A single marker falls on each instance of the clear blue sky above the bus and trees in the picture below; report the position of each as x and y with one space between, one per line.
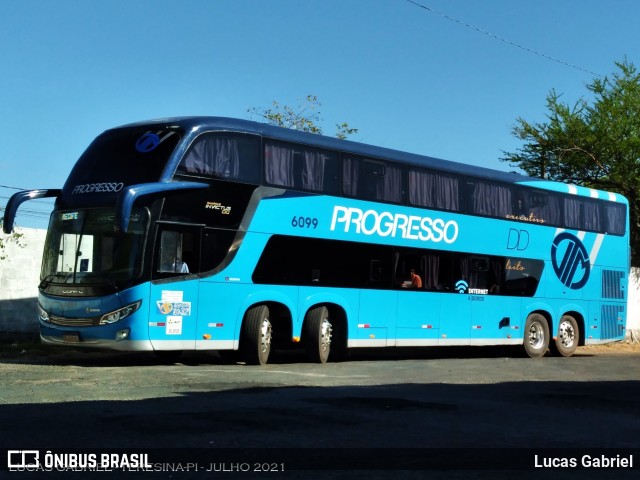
443 78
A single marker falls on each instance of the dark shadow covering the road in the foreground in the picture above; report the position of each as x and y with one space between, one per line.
407 415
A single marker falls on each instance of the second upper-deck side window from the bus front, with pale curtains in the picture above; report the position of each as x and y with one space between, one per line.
301 167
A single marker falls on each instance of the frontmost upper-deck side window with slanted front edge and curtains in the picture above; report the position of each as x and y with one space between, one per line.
227 156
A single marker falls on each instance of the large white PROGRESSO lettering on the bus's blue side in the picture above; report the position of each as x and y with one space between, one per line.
398 225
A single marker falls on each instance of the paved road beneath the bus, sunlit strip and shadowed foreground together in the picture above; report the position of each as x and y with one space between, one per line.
455 398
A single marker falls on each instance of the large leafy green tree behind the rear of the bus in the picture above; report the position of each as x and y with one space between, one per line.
593 142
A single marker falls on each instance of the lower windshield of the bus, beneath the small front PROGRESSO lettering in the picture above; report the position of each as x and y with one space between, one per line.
83 248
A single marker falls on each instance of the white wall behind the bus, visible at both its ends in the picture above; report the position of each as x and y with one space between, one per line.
20 275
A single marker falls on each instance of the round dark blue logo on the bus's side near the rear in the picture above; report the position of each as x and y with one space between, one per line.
570 261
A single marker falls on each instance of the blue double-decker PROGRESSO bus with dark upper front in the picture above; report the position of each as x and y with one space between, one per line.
207 233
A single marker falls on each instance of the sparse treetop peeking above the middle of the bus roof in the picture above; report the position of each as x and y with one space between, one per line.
305 117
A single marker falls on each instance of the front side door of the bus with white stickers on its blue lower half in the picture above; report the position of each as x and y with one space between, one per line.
174 289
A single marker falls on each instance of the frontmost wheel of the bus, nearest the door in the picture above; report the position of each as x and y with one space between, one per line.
256 335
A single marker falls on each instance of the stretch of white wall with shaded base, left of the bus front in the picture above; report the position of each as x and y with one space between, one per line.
19 278
